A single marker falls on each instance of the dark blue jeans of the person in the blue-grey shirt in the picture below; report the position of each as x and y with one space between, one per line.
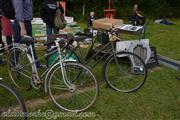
17 35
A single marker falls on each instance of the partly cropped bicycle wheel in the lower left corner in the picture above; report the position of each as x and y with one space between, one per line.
12 105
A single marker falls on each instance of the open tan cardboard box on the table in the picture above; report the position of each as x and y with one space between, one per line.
106 23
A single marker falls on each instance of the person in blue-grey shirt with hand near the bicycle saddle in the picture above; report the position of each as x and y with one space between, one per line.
22 24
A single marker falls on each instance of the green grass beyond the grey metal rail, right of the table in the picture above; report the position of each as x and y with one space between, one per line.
166 39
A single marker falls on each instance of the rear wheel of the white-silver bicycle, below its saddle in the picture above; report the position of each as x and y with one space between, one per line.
19 67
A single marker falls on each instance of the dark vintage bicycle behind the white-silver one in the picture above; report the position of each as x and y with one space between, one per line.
122 70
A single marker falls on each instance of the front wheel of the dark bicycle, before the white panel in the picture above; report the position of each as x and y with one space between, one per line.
124 72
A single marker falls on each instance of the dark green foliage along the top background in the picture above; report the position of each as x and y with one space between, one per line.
151 8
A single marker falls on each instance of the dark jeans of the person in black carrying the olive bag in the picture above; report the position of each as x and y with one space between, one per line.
49 31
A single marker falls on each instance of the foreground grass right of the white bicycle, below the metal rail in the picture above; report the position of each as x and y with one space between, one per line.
157 99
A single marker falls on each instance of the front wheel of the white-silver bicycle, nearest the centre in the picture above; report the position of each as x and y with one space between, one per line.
81 91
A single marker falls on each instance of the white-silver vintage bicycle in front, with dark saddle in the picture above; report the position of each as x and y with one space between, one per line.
71 85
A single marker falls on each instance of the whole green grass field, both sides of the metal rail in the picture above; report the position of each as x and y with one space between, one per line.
158 99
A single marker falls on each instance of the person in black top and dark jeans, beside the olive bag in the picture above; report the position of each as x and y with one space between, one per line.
47 12
